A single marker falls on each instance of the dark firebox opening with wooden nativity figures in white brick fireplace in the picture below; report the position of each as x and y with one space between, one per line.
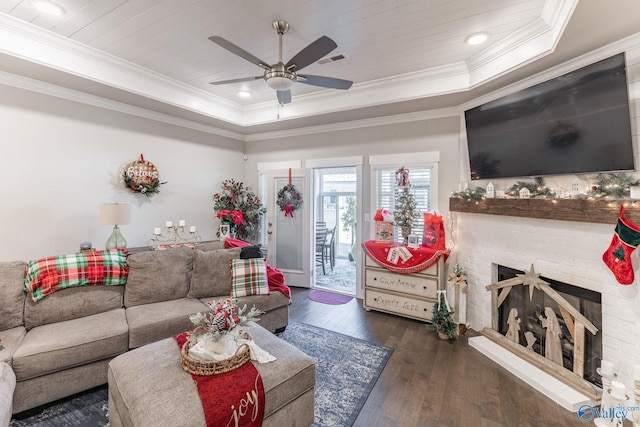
537 312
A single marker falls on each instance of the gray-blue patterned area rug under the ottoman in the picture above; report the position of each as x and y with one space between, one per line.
347 368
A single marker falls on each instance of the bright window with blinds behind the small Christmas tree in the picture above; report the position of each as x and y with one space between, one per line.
385 187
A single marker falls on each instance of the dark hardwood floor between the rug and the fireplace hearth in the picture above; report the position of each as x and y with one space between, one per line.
431 382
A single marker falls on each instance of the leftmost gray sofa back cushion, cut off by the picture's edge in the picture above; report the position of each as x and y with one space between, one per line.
11 293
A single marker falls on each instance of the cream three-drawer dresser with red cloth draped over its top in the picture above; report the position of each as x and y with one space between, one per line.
404 289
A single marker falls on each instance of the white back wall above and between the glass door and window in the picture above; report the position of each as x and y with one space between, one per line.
441 134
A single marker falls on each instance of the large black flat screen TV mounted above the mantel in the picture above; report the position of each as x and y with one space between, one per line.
574 124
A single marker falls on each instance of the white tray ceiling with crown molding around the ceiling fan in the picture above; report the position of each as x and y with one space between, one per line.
155 54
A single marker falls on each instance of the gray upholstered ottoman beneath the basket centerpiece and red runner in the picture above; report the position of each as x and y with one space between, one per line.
148 387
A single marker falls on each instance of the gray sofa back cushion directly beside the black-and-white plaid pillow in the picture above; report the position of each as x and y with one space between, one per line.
212 273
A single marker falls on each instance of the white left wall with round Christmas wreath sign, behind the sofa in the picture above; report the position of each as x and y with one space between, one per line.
60 160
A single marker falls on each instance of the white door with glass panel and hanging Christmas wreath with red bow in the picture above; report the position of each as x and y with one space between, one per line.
289 236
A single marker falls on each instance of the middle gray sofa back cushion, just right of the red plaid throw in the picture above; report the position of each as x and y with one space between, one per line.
156 276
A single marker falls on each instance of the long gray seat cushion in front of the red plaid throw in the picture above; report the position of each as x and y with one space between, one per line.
58 346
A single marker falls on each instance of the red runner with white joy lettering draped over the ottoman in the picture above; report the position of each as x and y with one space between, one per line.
232 399
